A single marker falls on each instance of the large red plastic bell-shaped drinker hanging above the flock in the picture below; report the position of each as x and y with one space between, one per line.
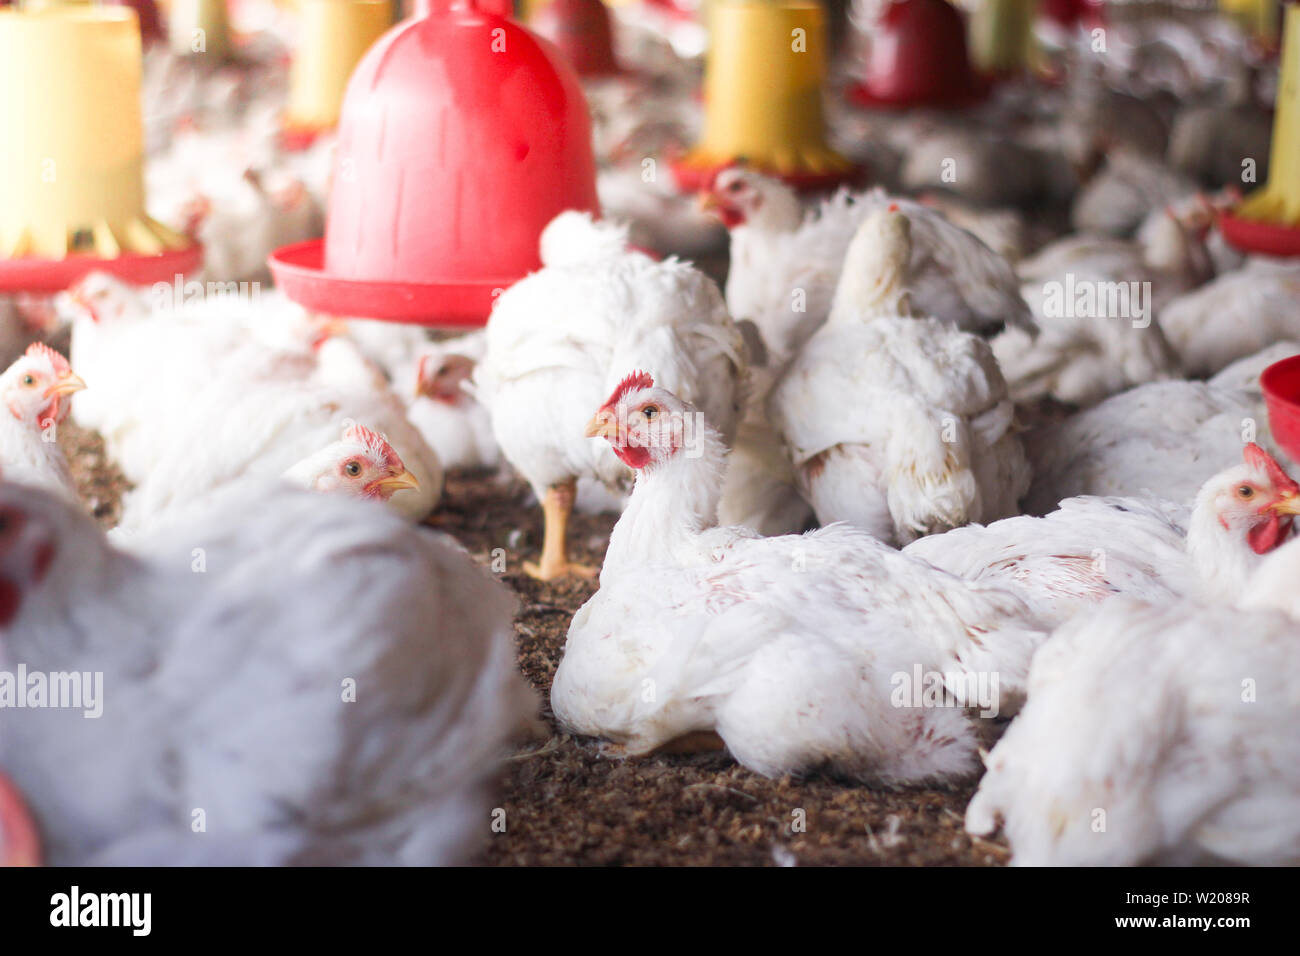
462 136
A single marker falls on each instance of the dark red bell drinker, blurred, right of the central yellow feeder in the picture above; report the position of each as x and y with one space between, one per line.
918 59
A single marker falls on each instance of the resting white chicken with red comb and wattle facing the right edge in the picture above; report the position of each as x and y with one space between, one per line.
1094 548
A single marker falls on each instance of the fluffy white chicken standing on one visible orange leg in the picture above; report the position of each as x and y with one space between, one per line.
558 341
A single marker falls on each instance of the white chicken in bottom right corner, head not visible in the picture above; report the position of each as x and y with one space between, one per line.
1154 736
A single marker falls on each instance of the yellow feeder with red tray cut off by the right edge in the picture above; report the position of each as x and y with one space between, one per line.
1268 222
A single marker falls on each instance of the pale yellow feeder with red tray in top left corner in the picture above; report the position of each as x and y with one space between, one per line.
72 154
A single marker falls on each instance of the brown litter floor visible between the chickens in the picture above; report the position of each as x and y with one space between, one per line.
569 804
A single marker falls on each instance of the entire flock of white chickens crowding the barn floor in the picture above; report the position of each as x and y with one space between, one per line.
877 457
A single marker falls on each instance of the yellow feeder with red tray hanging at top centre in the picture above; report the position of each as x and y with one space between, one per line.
764 81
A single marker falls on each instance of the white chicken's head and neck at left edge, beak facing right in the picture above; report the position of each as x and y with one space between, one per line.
37 391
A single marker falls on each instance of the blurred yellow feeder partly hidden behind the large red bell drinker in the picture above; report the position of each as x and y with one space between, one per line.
333 38
